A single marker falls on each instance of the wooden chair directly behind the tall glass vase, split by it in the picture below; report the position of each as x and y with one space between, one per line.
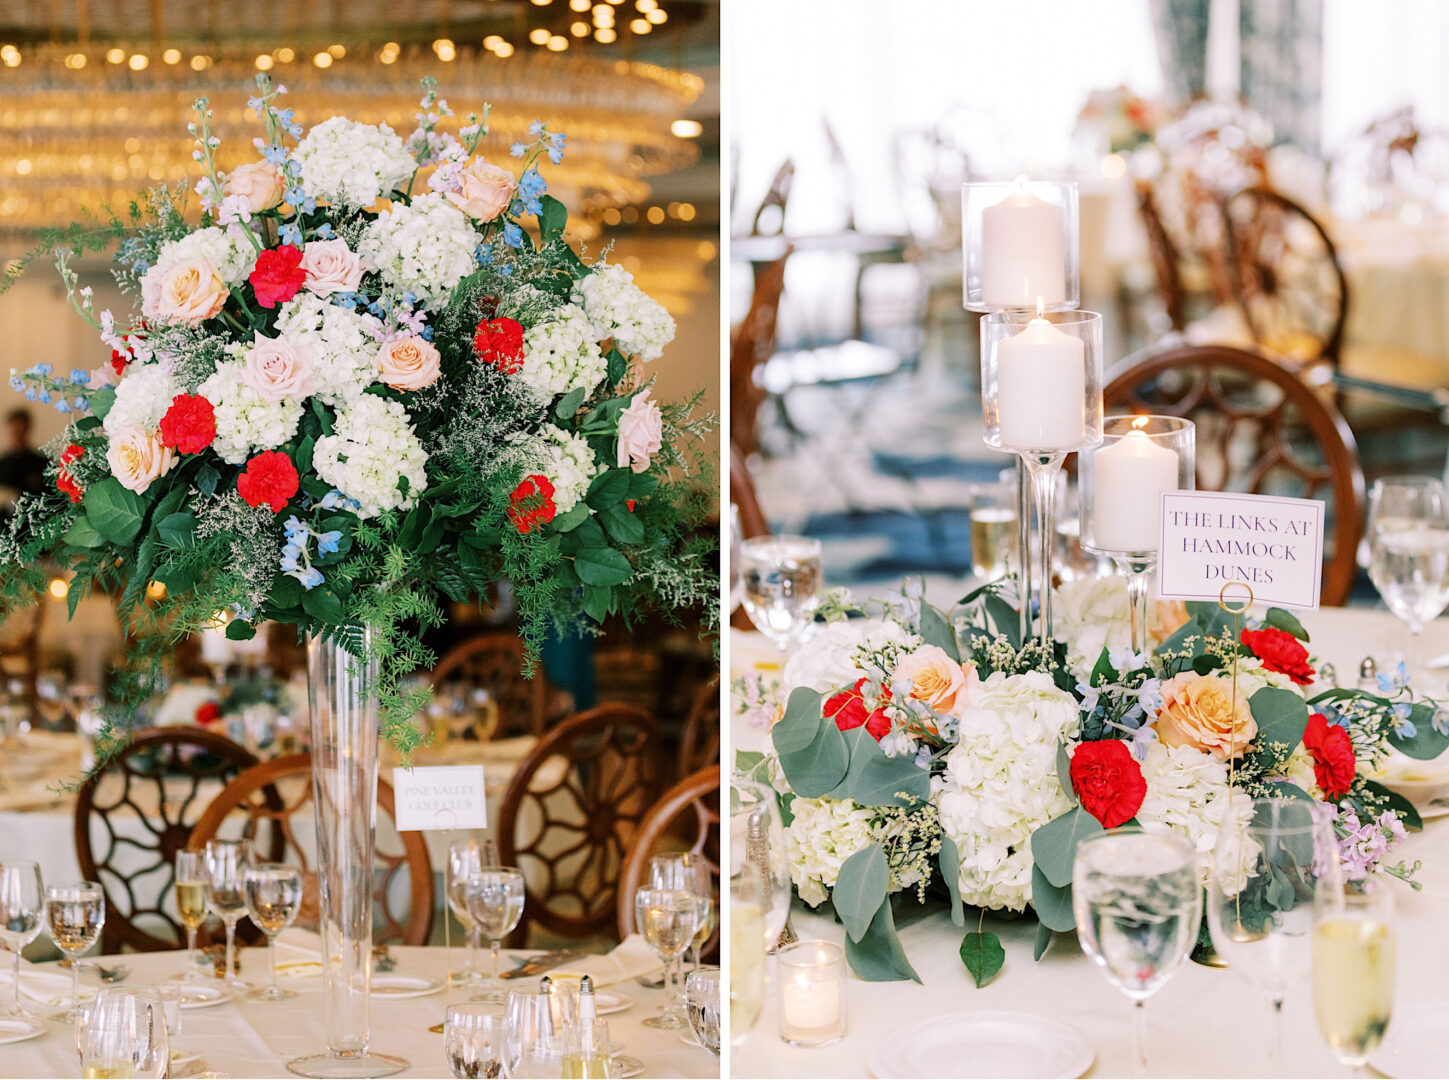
270 795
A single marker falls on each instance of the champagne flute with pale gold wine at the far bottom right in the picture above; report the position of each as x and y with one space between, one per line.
1354 969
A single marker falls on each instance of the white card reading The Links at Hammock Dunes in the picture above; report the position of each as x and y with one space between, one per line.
1214 539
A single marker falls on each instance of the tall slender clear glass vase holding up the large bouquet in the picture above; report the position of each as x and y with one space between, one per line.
344 705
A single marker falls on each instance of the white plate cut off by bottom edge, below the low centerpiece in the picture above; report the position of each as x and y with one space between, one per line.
985 1044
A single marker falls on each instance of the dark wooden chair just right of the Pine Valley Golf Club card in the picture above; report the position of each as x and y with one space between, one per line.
570 814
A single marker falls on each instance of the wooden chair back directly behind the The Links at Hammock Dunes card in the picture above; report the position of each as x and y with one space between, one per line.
1261 427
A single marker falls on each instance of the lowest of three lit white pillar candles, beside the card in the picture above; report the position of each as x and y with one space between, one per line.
1131 475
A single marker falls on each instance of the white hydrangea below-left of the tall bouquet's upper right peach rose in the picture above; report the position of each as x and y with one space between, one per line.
425 249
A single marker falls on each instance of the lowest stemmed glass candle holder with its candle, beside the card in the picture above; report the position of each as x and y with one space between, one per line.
1121 497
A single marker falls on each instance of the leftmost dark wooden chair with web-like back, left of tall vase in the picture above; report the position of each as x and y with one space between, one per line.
134 817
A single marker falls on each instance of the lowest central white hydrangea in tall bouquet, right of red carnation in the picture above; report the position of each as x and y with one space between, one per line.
372 450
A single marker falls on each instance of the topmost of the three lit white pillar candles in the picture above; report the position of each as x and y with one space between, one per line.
1024 256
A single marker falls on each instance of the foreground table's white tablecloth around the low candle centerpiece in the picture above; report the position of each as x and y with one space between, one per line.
1205 1023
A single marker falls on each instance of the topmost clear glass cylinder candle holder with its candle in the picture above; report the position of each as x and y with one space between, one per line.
1019 246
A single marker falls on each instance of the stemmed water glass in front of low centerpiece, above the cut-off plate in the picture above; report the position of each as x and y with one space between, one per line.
1138 905
